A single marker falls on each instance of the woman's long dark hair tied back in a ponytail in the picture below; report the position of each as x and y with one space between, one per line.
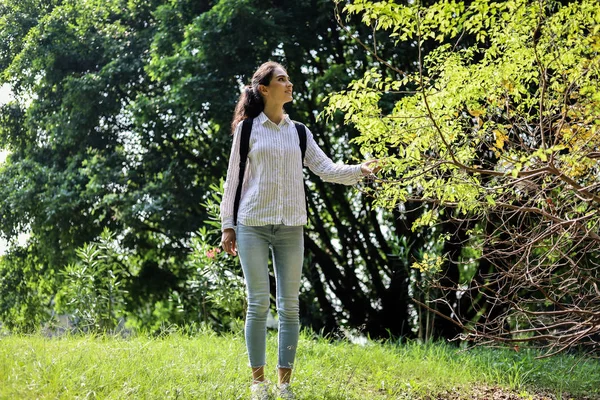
251 103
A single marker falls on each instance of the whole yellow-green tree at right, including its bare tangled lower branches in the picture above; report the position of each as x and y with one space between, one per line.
502 136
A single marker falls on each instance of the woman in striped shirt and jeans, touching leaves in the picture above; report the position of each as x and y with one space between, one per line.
271 214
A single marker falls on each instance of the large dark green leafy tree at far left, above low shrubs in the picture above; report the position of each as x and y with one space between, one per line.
79 163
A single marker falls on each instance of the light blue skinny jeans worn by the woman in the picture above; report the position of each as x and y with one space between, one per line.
287 245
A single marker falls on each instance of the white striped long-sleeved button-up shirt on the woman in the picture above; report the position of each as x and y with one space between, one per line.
273 186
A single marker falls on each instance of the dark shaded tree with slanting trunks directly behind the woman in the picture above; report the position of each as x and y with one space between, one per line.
353 283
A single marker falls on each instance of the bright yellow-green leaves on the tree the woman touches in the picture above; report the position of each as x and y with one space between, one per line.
522 101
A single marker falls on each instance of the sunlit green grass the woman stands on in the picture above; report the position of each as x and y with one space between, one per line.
207 366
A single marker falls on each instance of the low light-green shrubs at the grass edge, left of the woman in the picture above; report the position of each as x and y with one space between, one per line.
94 291
